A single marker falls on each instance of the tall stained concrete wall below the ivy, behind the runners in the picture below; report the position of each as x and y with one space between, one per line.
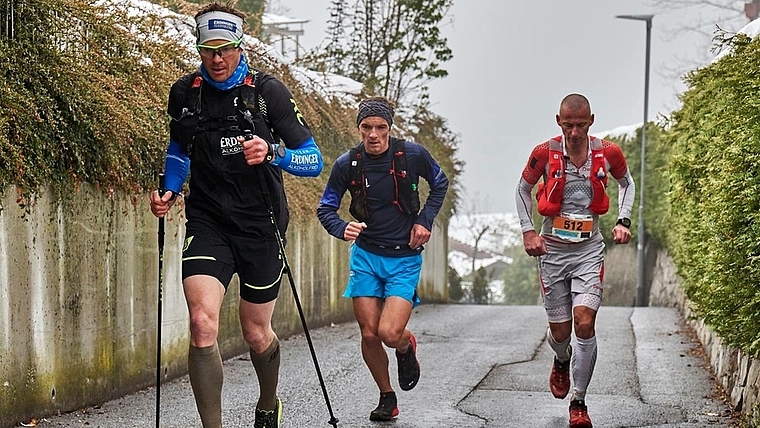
79 294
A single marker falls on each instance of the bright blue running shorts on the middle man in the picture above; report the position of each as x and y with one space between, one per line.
371 275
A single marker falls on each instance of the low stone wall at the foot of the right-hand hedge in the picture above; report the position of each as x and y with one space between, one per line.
737 372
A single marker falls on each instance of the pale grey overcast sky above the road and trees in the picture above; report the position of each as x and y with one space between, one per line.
515 60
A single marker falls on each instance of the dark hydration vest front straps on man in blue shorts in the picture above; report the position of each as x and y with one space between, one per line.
406 197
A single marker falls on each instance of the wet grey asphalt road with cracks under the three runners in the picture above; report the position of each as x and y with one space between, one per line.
482 366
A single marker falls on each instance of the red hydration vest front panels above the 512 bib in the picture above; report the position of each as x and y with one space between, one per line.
551 190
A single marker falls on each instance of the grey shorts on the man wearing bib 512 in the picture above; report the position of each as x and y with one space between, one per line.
570 270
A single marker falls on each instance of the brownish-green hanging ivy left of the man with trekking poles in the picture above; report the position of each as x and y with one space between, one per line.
79 101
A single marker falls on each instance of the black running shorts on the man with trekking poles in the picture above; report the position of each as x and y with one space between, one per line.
210 251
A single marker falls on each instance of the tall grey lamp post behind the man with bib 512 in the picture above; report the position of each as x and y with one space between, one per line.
641 299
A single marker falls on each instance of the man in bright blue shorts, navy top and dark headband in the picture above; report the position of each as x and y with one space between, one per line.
389 232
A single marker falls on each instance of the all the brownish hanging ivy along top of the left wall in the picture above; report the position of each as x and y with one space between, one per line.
83 100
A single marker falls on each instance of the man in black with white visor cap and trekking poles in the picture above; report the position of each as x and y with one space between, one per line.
235 129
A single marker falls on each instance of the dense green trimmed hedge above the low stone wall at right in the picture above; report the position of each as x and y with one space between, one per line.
715 194
